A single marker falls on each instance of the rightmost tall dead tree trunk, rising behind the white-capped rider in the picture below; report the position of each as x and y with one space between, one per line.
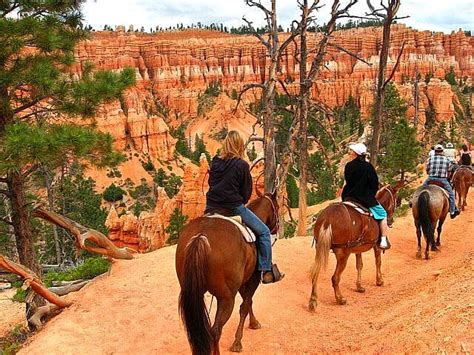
388 14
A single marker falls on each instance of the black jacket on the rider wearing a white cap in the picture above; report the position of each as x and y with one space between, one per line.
362 182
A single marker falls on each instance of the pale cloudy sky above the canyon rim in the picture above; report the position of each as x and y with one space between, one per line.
434 15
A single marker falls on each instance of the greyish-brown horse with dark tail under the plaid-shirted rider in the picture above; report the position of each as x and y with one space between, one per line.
430 206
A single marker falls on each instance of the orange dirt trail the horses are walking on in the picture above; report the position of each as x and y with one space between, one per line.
424 306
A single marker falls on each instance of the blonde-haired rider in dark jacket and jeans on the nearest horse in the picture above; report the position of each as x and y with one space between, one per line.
230 187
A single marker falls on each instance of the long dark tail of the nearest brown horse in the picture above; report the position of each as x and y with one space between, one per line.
192 307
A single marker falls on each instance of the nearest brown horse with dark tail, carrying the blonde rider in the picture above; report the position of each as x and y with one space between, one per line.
213 256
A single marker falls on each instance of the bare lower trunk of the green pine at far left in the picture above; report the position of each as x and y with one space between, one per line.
21 220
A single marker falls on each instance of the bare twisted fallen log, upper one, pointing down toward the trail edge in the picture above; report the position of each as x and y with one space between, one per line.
86 238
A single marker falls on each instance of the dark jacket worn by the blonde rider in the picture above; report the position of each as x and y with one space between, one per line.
230 183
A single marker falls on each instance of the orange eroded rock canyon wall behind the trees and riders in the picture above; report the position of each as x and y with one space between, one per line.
174 69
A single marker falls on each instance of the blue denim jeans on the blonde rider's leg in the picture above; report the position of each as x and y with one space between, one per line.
262 232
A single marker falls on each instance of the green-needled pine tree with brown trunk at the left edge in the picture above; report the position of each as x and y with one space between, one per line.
37 39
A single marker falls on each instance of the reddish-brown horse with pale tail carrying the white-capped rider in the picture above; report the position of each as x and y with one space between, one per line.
344 230
